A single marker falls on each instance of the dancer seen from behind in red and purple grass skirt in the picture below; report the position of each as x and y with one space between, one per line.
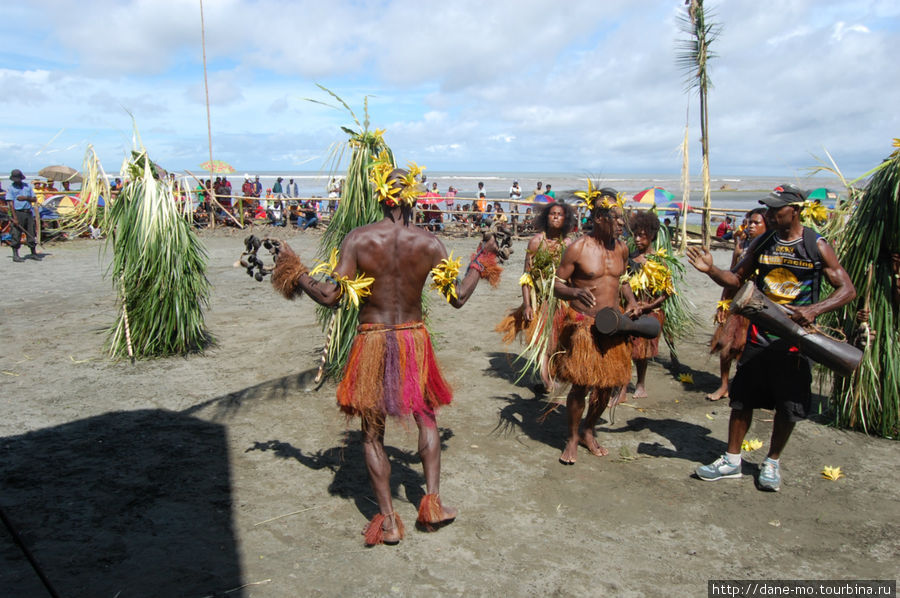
391 369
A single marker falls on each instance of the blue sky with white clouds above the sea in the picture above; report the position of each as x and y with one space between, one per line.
507 85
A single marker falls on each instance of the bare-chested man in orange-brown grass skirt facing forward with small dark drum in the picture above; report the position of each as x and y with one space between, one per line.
588 278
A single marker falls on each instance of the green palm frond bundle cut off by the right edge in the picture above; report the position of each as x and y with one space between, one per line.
869 400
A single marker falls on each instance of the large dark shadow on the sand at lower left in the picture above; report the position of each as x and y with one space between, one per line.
131 503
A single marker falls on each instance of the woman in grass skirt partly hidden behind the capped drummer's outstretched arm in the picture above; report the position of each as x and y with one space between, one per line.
731 329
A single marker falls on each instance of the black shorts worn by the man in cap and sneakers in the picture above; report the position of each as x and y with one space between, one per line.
773 379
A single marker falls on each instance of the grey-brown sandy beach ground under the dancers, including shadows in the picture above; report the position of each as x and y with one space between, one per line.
227 471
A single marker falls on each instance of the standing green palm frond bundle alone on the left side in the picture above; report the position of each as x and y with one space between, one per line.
158 268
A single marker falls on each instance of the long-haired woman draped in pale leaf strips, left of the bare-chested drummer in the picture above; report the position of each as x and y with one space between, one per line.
535 321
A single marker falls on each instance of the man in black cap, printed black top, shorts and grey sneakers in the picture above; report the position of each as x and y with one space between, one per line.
772 374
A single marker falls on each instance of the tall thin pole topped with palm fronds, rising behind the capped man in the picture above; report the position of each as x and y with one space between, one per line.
693 57
